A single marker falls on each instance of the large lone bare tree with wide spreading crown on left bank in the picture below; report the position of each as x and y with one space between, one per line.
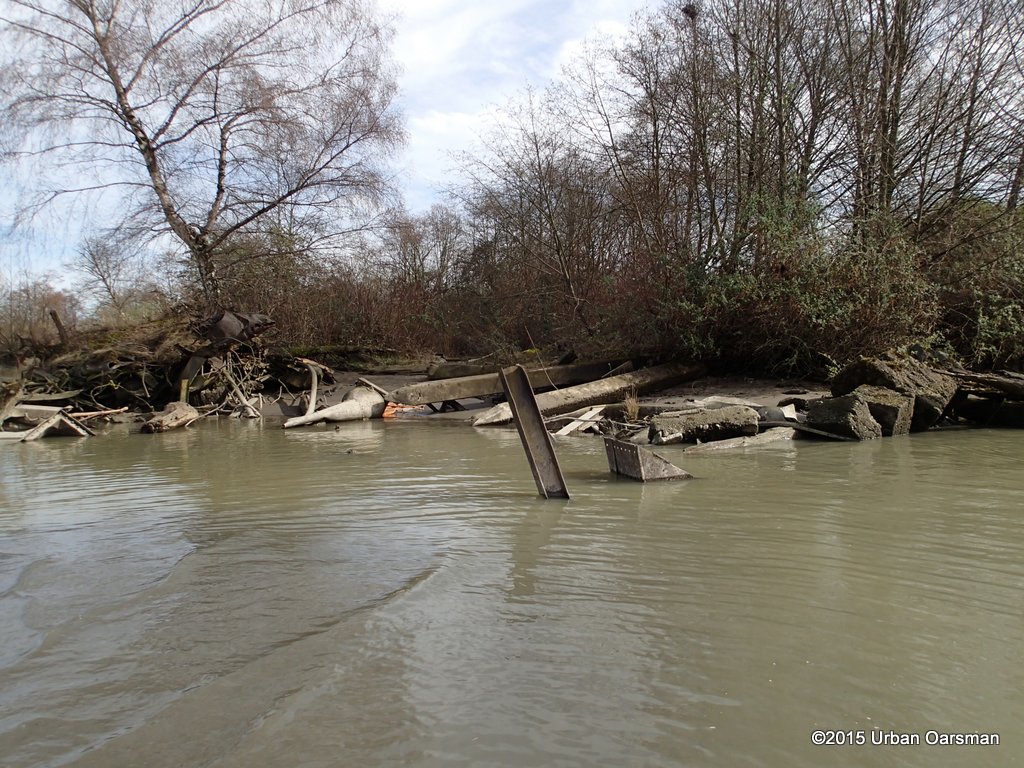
214 118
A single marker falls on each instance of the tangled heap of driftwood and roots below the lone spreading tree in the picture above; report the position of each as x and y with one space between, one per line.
211 367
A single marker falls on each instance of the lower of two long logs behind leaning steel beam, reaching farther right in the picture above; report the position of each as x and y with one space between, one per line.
604 391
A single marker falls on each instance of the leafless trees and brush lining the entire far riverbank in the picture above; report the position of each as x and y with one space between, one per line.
776 190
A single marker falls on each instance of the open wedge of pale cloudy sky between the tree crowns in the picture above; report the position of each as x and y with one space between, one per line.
461 59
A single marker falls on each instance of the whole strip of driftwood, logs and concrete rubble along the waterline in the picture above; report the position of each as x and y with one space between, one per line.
223 368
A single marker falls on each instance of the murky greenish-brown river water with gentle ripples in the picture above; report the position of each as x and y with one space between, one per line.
396 594
